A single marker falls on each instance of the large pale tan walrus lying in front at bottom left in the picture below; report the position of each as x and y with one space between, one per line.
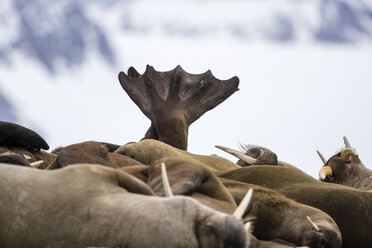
105 207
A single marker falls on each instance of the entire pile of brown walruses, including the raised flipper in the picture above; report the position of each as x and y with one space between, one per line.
96 194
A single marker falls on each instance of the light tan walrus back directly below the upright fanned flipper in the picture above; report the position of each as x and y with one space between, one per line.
149 150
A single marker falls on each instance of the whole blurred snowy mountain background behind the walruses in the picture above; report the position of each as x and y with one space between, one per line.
305 69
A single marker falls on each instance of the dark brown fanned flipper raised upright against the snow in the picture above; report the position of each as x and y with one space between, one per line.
173 100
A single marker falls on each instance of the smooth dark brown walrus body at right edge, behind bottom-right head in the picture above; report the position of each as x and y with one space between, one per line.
350 208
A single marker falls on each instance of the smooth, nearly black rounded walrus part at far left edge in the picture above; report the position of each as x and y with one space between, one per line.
12 134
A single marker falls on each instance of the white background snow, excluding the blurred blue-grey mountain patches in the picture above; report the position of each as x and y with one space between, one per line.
295 96
